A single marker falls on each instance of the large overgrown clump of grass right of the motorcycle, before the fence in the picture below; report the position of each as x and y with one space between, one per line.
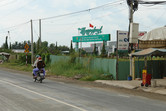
77 71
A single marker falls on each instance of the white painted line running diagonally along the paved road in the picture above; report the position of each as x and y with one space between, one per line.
54 99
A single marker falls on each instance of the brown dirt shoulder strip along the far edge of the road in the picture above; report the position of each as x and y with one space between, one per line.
135 92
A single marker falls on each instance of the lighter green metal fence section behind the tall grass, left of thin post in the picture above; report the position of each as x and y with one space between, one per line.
107 66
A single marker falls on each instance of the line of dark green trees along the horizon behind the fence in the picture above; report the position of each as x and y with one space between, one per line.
53 48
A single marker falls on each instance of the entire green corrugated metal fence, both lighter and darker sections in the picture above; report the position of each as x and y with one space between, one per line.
108 66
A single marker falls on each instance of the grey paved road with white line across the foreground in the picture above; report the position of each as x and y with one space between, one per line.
19 93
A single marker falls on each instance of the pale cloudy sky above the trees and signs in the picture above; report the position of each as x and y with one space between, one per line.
113 15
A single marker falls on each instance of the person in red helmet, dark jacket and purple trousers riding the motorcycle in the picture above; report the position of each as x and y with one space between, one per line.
40 66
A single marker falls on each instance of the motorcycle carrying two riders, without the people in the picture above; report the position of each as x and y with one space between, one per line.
40 76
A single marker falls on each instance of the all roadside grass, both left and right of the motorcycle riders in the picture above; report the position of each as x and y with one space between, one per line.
69 70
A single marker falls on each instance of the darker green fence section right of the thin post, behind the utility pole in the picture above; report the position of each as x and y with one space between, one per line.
155 67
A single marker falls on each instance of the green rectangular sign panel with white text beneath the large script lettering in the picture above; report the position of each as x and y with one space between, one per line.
91 38
